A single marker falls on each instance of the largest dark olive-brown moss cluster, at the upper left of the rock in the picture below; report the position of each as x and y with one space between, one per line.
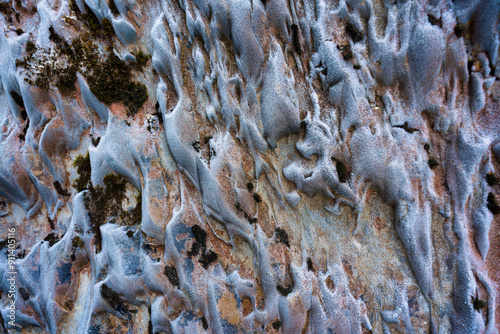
110 79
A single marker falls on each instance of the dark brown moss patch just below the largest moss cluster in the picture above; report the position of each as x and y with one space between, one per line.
104 203
